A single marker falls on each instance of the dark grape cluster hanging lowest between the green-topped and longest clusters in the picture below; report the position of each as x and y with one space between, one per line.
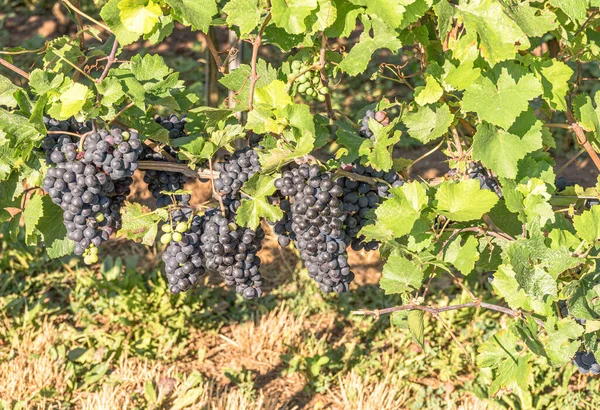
231 250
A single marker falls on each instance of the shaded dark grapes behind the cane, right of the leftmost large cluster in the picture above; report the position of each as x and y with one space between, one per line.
159 181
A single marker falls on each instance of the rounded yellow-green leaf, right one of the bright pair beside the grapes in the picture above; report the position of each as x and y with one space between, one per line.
454 200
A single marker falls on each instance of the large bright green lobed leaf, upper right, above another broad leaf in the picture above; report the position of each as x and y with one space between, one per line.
500 103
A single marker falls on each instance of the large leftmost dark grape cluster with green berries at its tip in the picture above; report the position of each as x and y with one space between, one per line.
90 185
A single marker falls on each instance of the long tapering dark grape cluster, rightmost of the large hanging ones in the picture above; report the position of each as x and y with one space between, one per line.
316 224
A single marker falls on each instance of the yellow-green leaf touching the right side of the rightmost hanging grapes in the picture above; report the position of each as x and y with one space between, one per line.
397 215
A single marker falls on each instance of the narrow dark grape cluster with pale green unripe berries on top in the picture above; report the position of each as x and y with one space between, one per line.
183 257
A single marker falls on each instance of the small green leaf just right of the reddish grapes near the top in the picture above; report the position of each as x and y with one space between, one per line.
428 123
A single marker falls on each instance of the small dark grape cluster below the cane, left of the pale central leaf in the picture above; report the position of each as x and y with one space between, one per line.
234 171
